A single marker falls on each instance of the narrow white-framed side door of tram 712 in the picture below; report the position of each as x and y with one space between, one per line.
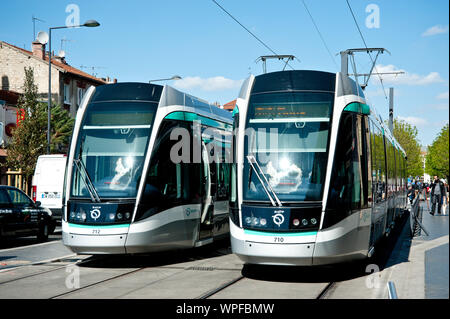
208 187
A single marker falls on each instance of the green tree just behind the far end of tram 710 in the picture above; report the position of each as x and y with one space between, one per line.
406 135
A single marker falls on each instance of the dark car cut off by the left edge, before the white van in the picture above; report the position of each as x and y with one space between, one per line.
20 216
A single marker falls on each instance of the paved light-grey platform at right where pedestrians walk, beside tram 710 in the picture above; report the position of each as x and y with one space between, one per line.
419 266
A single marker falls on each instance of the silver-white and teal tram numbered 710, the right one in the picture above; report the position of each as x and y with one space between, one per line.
317 178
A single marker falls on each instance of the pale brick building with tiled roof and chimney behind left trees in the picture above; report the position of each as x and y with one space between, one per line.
68 84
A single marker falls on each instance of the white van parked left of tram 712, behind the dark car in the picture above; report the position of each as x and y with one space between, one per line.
48 182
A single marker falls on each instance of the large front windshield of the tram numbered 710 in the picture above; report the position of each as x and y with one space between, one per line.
287 137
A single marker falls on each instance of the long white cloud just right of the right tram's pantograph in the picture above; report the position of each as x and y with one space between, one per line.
406 78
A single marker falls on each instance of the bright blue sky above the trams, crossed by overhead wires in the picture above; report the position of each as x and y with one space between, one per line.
144 40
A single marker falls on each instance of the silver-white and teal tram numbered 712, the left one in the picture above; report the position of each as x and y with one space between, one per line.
146 171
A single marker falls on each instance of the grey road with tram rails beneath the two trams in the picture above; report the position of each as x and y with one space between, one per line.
51 271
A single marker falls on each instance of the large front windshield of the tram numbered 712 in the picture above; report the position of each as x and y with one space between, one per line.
111 145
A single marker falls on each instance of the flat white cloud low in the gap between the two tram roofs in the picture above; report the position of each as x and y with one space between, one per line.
216 83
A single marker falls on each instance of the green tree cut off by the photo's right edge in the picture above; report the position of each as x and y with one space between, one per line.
437 159
